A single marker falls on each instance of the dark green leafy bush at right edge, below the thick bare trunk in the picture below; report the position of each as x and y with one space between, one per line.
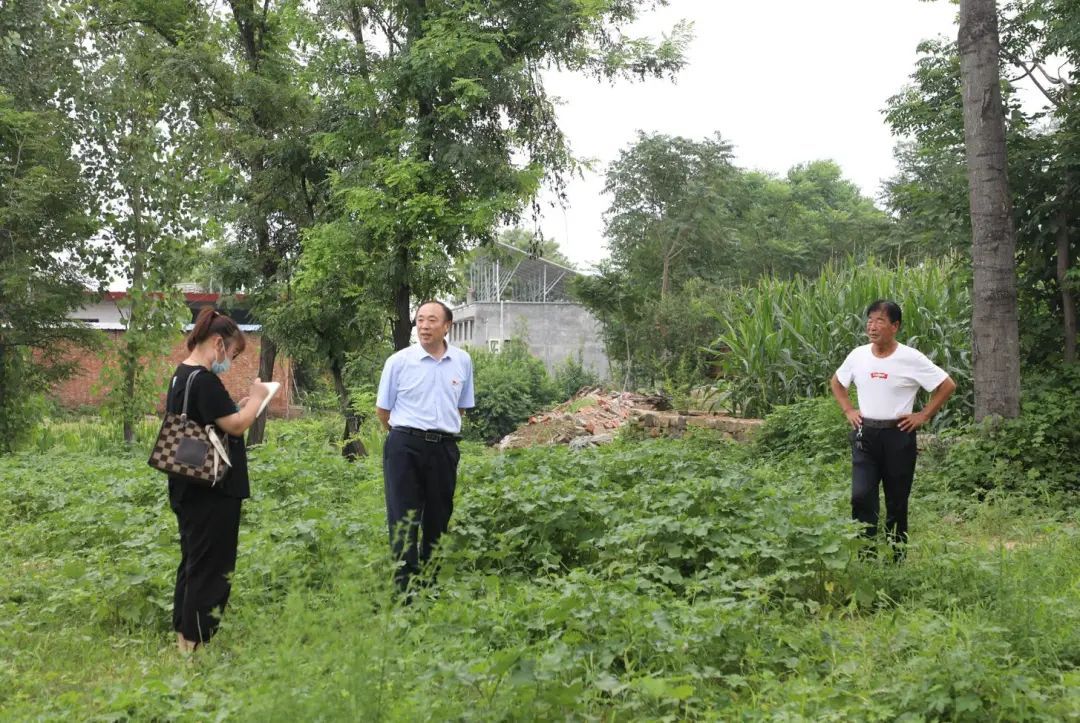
1035 454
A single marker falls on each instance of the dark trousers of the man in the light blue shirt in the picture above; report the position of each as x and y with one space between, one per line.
420 479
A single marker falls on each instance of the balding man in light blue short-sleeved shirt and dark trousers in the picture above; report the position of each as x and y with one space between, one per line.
424 392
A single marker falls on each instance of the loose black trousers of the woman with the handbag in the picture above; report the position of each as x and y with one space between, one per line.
210 529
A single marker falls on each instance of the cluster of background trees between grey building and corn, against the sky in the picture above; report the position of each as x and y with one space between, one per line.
687 229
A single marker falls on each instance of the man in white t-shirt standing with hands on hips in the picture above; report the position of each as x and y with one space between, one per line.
887 376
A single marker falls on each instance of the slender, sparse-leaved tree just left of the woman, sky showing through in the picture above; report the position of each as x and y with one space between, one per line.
140 151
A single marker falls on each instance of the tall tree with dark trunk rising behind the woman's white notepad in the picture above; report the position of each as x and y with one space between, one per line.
264 128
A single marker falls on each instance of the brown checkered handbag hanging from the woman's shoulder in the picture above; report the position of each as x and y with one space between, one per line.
187 450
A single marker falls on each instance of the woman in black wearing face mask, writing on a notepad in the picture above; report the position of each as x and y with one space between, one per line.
209 518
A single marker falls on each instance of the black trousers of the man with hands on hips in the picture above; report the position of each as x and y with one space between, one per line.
888 457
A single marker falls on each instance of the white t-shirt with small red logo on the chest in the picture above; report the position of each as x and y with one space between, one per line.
887 387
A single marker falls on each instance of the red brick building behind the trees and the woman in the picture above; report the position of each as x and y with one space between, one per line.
85 387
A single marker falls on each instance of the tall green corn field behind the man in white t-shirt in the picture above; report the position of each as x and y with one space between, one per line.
784 340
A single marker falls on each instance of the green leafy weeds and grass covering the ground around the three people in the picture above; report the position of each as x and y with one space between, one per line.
644 581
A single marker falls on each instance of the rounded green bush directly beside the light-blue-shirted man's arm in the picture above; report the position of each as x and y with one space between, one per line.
511 386
